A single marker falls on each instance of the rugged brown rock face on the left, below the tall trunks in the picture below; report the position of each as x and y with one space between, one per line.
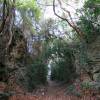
13 62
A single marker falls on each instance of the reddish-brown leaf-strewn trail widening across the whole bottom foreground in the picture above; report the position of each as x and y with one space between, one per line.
53 91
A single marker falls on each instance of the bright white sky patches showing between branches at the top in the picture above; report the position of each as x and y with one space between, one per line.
72 5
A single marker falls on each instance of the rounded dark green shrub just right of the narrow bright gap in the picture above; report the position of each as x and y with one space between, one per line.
63 70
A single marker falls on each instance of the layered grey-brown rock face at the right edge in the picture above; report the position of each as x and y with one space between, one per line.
94 57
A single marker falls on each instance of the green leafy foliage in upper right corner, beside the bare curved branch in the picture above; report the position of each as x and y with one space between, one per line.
89 21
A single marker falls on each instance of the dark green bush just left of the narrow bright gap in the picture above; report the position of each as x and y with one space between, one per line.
37 74
